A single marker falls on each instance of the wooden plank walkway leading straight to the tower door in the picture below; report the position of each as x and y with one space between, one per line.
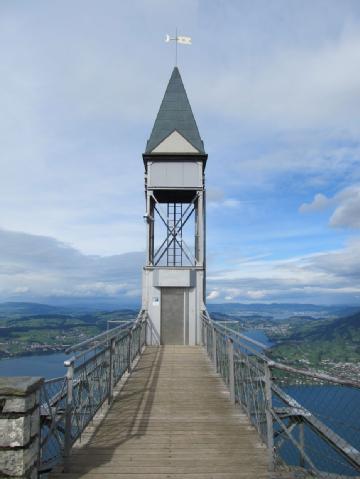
173 419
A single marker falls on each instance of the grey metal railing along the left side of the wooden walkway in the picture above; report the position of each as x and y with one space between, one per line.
69 403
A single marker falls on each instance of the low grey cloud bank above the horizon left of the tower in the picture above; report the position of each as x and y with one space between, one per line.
33 267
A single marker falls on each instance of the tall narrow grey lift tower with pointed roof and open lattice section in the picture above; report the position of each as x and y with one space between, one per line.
174 273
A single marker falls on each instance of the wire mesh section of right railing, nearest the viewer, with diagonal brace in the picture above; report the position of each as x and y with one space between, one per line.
326 428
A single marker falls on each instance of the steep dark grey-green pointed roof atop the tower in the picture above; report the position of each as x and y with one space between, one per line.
175 114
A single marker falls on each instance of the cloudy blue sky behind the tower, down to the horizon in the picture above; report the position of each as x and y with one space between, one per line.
275 89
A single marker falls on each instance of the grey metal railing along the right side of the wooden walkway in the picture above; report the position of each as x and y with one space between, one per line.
309 421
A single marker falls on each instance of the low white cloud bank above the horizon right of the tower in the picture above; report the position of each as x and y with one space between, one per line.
329 277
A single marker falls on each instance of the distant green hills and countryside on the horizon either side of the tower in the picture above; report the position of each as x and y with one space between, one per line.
308 331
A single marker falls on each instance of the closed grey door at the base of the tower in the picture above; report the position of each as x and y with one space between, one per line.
172 315
